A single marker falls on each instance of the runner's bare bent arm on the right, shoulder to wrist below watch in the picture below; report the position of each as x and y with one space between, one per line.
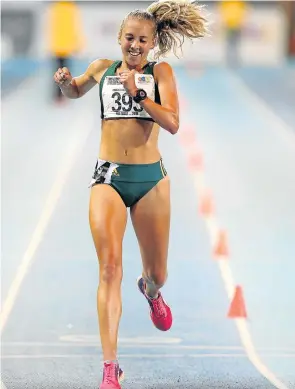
166 114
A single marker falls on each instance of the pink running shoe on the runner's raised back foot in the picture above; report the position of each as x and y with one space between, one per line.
160 312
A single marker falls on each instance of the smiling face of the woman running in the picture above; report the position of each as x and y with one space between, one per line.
137 39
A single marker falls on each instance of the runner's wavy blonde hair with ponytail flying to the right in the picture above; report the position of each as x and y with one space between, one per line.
174 20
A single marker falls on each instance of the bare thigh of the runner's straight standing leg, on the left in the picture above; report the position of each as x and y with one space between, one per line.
107 218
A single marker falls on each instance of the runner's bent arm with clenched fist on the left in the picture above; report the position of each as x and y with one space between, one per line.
75 87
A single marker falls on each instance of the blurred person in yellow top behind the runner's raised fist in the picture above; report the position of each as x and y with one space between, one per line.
65 36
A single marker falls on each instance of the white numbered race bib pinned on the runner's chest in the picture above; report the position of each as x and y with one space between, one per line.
118 104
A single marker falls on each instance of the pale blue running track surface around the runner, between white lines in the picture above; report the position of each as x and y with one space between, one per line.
51 337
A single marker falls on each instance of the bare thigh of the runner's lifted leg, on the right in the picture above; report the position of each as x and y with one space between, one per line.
151 220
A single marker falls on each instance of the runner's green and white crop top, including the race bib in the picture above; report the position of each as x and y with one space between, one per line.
115 101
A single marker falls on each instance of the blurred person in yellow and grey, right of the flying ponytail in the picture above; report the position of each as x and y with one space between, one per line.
233 14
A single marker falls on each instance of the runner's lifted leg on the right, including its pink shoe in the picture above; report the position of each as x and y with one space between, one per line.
151 220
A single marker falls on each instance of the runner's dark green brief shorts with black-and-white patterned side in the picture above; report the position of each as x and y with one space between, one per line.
132 182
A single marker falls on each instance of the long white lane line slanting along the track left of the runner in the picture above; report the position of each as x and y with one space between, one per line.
84 125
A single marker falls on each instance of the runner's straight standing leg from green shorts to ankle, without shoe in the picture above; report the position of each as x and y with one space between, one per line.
108 218
